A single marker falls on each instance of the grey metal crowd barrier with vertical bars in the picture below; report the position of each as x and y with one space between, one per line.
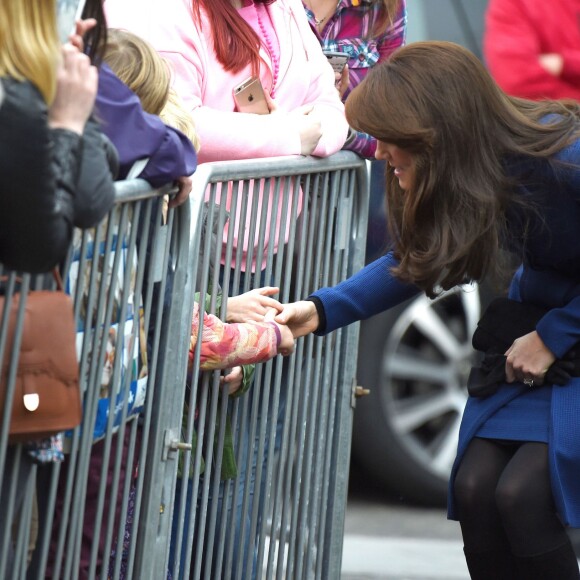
140 494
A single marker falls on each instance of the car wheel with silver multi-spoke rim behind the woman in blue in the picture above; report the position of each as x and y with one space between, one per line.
415 360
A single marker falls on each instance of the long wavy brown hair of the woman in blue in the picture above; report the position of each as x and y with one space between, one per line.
437 101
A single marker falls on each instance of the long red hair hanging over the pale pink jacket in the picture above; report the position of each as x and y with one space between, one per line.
235 43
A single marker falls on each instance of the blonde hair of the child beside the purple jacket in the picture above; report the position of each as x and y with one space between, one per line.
147 74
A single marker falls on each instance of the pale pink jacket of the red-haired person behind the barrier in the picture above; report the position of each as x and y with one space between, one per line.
304 77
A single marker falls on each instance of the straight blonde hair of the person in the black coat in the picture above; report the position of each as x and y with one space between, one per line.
29 43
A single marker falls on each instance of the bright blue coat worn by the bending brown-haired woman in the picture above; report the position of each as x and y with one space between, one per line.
549 276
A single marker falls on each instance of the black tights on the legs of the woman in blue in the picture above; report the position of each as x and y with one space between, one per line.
504 499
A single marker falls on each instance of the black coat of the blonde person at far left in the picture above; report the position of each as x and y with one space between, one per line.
51 180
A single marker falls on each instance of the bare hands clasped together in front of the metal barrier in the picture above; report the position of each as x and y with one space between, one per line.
293 320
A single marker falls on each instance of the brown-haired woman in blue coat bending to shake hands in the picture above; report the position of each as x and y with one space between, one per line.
473 176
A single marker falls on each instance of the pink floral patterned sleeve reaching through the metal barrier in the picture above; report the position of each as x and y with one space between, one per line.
226 345
